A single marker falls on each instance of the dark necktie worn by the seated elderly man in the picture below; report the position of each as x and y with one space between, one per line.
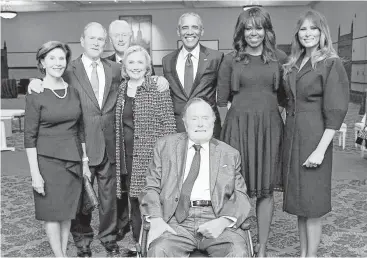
183 206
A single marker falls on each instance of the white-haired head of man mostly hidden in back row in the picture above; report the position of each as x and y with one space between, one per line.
120 35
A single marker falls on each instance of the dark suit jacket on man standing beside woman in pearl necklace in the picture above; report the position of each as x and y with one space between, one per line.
98 122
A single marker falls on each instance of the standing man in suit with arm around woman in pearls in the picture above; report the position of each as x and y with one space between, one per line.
97 81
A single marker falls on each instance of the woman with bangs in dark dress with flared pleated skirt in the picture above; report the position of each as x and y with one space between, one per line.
250 76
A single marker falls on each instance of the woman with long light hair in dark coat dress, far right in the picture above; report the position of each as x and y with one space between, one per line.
316 85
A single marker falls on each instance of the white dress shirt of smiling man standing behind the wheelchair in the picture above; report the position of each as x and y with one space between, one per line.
181 60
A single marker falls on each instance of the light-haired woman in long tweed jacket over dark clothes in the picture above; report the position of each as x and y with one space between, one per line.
142 116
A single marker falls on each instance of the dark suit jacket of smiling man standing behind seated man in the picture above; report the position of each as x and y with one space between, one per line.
205 83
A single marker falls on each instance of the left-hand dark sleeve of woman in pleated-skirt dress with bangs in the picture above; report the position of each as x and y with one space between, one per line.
224 81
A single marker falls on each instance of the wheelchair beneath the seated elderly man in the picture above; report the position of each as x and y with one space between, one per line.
142 248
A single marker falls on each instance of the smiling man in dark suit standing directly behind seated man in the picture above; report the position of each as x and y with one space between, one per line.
192 70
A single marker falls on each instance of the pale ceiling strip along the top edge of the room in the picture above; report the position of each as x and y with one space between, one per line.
91 5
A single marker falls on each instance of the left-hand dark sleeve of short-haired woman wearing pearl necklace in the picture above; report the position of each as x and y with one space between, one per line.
31 120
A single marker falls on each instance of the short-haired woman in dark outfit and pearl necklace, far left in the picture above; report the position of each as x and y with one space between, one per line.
54 142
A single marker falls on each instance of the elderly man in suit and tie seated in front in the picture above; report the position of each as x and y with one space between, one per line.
195 196
